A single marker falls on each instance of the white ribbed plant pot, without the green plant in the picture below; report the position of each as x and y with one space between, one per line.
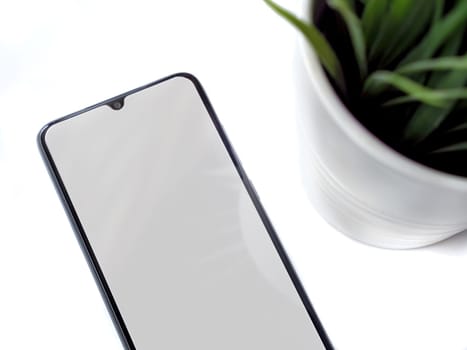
361 186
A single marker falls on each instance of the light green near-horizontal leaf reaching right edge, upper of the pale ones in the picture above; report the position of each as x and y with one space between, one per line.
435 64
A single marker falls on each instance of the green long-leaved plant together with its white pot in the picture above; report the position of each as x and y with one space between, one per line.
385 138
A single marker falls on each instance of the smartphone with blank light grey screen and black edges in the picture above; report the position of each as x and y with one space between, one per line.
172 228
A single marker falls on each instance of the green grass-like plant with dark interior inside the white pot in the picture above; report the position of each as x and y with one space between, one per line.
400 66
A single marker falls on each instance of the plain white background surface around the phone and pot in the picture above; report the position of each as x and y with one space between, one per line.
57 57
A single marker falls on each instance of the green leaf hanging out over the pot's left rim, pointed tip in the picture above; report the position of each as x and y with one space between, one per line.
317 41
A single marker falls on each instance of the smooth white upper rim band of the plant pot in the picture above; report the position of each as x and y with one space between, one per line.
362 137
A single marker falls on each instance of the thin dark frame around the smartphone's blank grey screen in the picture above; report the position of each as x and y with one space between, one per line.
86 246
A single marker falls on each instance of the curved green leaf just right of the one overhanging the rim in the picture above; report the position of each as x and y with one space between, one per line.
354 27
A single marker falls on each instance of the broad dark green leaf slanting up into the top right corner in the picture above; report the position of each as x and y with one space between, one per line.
438 34
